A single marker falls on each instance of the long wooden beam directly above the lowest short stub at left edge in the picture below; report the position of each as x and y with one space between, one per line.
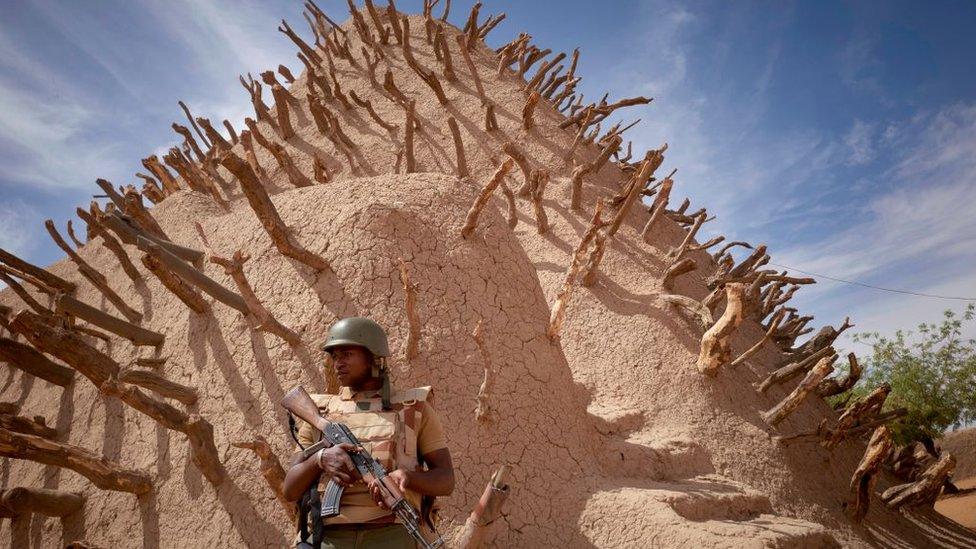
103 473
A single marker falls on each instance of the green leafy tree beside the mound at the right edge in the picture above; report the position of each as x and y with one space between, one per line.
933 376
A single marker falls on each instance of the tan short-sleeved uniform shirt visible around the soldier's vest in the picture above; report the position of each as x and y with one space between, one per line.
356 504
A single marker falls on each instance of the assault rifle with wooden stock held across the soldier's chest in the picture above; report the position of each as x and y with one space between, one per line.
302 406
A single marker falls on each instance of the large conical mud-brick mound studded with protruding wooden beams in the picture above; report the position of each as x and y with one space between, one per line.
472 201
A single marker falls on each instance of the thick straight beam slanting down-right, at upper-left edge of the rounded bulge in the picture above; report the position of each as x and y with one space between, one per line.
267 214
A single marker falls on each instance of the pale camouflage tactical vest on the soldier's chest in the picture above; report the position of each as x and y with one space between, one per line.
390 436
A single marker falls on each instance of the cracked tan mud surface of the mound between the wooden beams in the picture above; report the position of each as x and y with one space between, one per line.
614 438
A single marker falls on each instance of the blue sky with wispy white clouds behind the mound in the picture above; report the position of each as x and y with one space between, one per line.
842 135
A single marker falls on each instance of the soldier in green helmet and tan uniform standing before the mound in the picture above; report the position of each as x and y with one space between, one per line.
399 428
